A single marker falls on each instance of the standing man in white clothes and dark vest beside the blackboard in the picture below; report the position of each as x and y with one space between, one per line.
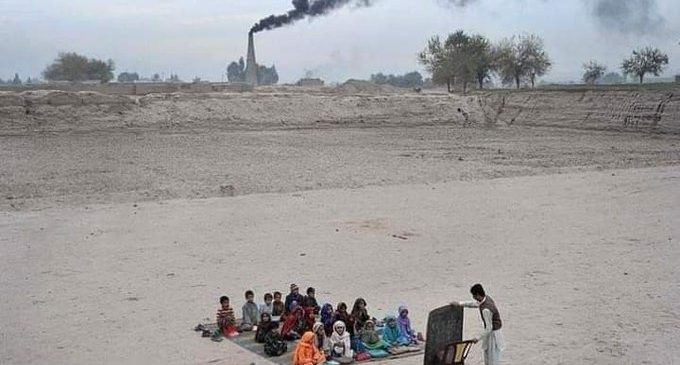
492 339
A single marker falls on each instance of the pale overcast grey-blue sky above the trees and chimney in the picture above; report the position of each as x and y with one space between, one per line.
200 37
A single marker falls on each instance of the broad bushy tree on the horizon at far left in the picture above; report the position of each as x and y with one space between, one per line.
74 67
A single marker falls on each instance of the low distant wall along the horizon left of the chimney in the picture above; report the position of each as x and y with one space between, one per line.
135 88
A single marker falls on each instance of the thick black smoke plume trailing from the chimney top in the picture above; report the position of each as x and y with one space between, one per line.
304 9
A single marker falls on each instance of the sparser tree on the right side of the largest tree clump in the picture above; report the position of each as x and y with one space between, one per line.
521 58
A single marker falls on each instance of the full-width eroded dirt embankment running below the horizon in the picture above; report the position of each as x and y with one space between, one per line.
55 111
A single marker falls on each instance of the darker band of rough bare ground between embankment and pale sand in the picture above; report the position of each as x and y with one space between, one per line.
73 169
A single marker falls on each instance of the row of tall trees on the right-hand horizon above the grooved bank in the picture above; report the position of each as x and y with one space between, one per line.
463 58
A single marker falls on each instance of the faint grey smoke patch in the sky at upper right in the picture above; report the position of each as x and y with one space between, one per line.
628 16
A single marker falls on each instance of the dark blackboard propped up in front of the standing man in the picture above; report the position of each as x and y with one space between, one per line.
444 326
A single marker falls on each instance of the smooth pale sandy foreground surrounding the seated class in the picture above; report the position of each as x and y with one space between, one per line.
583 266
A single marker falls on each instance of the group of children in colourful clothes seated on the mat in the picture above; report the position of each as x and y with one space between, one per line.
324 333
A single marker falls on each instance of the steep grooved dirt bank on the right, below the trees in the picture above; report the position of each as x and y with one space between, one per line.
645 110
